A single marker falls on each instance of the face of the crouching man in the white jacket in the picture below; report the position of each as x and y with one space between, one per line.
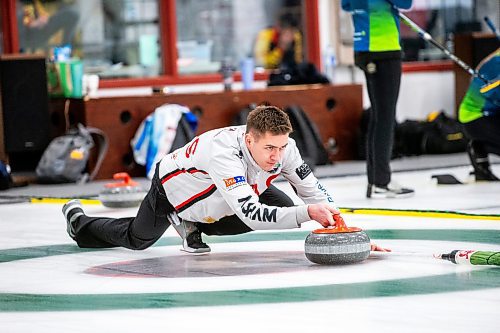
267 150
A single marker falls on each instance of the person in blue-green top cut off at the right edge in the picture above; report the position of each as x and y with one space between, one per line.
480 114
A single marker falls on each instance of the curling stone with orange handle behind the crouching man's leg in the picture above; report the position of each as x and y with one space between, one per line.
124 194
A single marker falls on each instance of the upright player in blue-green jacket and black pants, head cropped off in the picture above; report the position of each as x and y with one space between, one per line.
377 51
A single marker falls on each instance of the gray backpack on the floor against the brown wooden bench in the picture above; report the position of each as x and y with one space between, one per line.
66 157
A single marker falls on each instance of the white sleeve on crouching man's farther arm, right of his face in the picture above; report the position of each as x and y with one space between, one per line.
300 176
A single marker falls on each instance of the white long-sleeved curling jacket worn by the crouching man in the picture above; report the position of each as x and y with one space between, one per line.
214 176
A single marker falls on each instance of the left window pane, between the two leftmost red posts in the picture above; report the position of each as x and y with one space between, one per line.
114 38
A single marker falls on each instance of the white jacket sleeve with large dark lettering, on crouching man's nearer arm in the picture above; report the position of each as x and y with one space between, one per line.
228 173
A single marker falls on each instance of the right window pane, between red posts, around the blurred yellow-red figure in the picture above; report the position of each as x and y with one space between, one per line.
213 31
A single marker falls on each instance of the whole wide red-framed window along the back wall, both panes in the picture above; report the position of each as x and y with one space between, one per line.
151 41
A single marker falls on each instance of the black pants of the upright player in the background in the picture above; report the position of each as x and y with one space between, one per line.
383 77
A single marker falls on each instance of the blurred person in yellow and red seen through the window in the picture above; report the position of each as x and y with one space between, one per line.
279 46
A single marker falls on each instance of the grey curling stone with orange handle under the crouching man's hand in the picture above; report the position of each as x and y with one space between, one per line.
337 245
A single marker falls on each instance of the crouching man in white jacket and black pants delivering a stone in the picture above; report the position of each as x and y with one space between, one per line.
218 184
